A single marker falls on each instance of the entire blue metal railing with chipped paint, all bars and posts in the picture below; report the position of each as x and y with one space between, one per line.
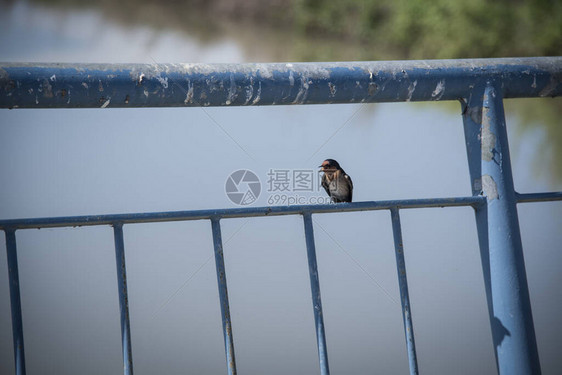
480 86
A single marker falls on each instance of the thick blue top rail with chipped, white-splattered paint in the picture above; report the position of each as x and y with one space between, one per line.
64 85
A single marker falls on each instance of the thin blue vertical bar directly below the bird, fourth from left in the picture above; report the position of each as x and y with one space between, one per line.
316 299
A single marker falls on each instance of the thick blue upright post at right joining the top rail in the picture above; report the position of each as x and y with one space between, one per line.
501 250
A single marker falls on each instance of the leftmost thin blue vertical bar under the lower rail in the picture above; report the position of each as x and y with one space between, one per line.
15 301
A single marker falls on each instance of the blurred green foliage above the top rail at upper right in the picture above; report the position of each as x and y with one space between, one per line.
439 28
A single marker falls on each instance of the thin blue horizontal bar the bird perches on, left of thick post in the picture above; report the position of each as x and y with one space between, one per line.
226 213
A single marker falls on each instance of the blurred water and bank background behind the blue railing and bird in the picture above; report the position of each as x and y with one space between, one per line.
79 162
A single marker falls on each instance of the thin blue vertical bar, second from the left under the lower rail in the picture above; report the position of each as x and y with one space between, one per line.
123 299
